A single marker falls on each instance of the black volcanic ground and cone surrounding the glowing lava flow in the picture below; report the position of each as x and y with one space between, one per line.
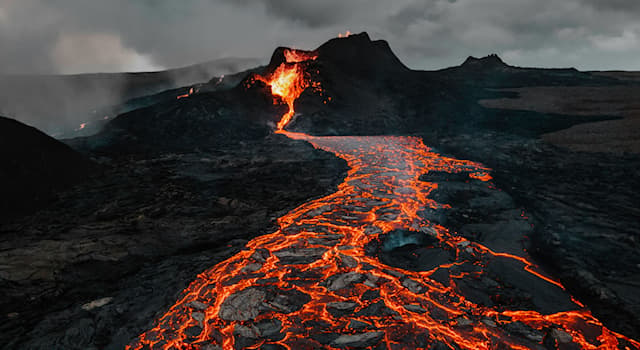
100 234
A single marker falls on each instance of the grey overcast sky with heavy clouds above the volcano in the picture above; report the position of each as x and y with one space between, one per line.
74 36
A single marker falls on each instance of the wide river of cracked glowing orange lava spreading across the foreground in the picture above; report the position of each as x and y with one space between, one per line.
312 284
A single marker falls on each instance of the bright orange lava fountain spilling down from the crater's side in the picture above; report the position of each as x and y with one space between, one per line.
289 80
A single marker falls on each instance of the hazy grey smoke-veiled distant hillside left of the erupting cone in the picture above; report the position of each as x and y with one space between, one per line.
58 104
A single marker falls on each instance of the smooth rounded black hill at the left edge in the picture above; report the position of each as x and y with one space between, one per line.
33 166
